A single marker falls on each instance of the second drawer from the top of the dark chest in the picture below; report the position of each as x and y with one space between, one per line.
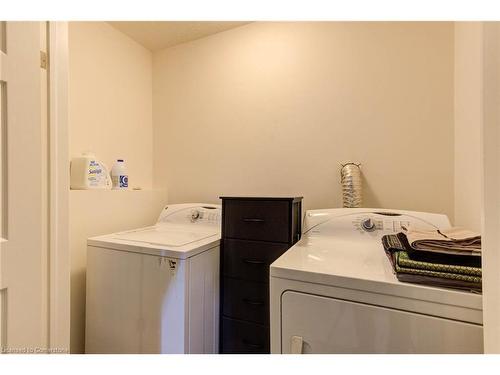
250 260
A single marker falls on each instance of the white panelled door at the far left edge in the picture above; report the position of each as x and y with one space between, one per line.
24 189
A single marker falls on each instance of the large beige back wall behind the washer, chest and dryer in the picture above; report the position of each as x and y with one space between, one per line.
274 108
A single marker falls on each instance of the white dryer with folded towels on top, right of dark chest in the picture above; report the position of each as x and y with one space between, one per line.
334 292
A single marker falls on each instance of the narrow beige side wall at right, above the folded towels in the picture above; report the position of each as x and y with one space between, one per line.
468 117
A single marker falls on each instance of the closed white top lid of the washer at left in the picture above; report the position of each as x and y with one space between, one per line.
171 236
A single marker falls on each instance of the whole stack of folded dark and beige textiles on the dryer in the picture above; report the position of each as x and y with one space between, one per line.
447 258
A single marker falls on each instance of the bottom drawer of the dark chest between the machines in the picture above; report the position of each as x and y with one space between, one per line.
240 337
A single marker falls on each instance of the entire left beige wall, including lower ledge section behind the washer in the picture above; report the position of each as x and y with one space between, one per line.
110 114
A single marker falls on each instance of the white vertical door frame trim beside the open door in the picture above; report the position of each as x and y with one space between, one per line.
59 255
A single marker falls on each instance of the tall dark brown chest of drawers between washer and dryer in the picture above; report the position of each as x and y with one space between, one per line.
255 232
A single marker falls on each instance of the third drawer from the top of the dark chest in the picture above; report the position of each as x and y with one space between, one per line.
246 300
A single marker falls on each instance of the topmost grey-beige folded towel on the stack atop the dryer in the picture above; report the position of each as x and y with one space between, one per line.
450 241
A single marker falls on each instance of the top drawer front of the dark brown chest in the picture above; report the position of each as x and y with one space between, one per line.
257 220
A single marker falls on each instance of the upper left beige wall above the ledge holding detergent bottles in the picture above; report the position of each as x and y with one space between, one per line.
110 106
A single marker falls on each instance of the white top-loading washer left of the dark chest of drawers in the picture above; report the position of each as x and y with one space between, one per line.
156 289
